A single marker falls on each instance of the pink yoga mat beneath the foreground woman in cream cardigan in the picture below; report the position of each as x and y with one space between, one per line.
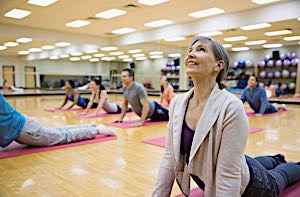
291 191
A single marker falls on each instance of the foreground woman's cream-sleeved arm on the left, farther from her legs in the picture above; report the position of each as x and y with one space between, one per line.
166 174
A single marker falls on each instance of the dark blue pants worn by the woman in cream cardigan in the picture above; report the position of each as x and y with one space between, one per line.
270 175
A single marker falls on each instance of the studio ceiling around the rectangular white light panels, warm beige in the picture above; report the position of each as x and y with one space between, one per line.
46 25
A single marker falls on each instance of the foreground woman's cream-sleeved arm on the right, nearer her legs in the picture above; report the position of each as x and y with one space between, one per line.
231 152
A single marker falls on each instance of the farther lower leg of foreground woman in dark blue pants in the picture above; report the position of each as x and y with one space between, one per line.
270 162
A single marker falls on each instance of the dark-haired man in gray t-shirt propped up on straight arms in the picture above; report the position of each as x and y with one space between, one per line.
136 95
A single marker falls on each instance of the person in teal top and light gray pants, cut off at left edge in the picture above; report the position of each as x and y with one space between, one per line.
14 126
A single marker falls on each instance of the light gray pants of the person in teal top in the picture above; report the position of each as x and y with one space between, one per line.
33 133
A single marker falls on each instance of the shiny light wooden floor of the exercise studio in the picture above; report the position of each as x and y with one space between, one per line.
122 167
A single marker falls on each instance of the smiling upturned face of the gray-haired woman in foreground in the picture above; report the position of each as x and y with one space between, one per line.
200 60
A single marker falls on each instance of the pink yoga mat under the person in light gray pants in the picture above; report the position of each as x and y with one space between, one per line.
16 149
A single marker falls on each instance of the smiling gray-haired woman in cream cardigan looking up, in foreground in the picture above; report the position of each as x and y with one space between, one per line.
207 136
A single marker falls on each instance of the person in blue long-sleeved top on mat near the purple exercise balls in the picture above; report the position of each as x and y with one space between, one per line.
257 99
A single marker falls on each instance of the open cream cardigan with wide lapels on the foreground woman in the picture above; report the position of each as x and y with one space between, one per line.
217 153
